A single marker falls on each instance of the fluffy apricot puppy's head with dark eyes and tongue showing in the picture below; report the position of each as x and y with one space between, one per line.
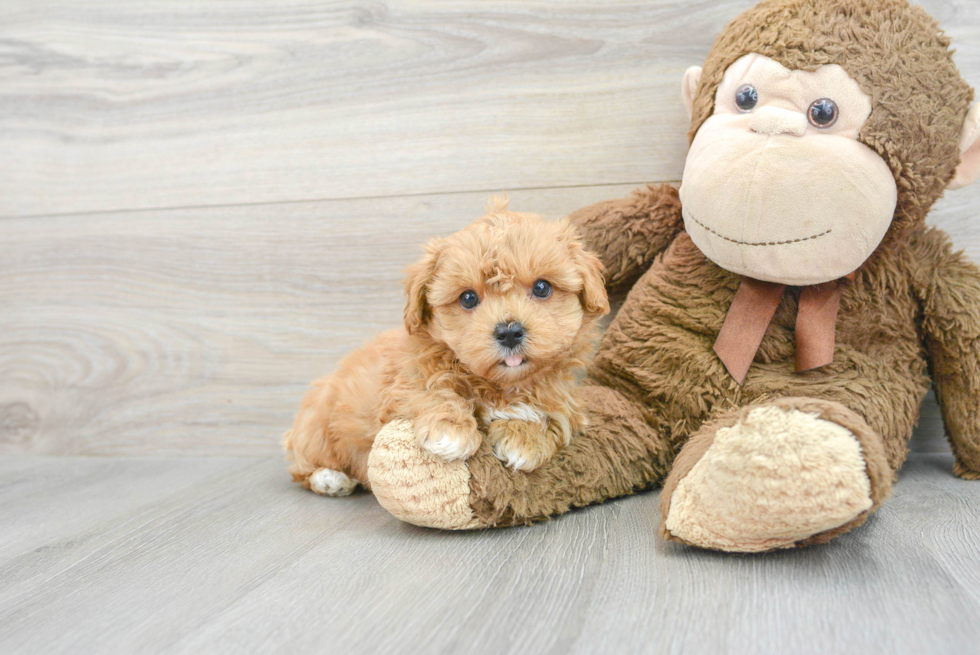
509 294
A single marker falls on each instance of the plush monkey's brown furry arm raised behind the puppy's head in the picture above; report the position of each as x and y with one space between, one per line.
627 234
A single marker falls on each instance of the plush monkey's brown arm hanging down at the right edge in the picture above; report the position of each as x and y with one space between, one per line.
948 285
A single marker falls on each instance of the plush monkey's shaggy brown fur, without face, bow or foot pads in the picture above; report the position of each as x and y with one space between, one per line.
911 313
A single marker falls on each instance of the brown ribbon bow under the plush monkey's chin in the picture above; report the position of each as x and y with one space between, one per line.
752 309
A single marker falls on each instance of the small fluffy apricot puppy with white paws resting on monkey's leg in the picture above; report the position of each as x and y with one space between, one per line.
500 317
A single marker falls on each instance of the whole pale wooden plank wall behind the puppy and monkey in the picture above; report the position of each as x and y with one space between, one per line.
205 204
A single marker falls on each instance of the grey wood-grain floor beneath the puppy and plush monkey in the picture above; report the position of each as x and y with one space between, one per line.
241 560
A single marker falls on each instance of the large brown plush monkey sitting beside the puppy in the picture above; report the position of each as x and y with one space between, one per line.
784 322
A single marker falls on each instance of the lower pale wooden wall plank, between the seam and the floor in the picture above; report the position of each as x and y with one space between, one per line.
196 331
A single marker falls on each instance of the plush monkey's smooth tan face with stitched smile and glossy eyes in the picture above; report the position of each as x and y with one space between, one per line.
776 185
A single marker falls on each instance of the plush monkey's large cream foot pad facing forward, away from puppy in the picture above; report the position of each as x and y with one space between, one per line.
775 478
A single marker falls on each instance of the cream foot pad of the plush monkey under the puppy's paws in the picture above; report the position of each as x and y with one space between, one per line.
416 486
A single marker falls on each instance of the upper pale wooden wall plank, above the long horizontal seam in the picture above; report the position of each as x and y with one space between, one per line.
117 105
